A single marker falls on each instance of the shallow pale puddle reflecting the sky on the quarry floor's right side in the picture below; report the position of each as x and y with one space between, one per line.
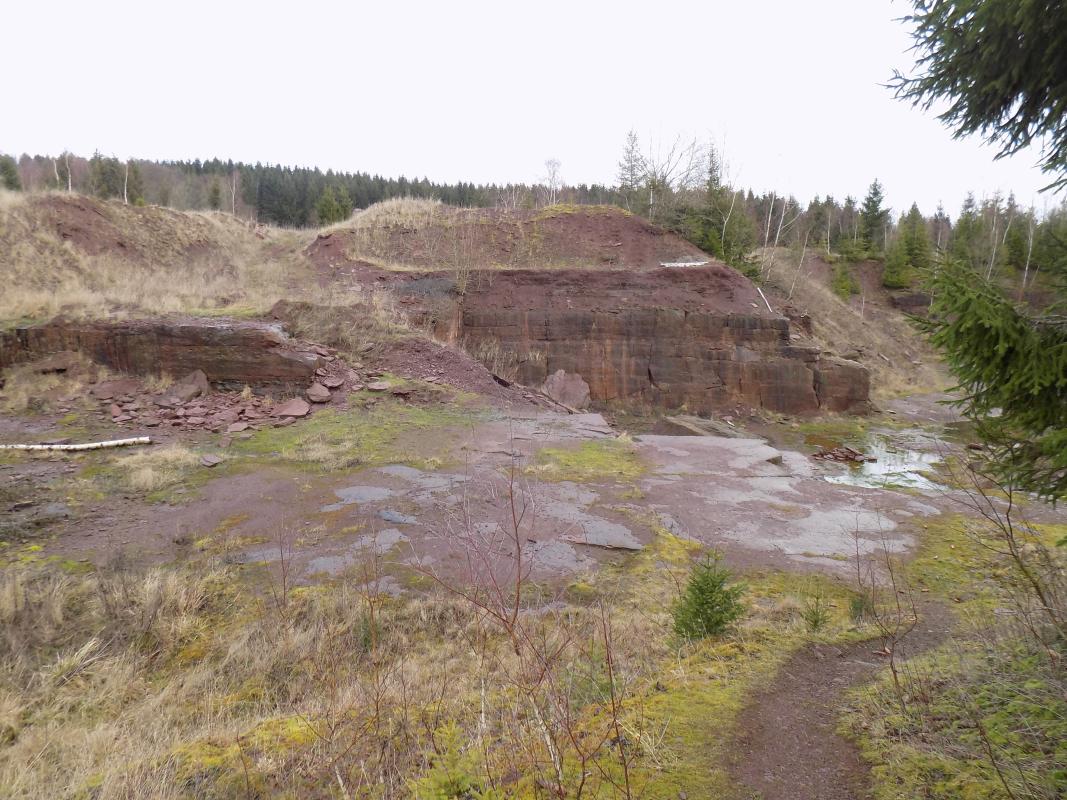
896 466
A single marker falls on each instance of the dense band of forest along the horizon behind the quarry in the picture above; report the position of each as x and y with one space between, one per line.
683 189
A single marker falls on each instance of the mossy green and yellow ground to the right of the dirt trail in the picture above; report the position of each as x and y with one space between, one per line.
984 716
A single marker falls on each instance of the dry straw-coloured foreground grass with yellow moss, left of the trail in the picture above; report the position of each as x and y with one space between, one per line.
193 684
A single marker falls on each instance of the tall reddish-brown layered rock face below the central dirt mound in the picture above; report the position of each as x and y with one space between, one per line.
698 339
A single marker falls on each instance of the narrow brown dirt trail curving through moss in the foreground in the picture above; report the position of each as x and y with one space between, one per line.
789 747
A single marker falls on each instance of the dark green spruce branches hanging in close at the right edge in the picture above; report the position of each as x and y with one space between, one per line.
1010 360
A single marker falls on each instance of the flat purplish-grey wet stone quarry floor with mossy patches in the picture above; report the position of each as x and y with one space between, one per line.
588 494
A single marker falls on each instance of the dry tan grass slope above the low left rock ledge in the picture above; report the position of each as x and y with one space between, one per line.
126 261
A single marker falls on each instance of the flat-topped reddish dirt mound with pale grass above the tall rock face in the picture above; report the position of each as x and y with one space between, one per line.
424 235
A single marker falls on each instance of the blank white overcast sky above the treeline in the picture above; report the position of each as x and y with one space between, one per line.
488 91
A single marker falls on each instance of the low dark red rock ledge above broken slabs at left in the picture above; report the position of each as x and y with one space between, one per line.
228 353
